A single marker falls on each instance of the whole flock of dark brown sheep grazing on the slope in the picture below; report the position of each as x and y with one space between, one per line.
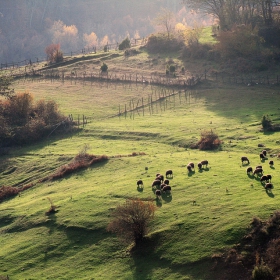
161 185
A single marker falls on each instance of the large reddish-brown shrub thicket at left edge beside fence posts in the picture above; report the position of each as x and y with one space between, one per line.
22 121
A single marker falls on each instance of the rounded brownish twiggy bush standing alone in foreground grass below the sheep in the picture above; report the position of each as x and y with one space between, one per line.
130 221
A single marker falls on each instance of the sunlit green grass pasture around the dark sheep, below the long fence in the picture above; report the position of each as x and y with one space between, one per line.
74 244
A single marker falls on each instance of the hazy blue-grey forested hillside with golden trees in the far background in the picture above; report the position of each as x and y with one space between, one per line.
27 27
